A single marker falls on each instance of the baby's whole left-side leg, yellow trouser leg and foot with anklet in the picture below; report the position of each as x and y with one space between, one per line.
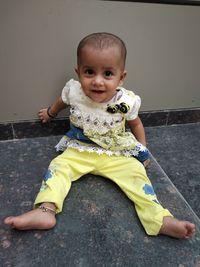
71 164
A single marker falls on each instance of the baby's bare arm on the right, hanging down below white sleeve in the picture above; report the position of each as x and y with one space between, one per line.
137 130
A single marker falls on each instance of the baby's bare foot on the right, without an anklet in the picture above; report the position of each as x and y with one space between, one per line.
175 228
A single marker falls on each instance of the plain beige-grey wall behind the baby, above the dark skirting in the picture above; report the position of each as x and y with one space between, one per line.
38 40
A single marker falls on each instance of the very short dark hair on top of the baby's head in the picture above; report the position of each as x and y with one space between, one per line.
101 40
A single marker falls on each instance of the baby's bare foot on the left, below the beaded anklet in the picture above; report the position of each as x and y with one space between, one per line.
34 219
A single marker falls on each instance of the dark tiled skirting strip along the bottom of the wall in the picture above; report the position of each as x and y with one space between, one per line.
31 129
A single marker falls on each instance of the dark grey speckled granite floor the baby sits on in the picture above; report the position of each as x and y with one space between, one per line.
98 225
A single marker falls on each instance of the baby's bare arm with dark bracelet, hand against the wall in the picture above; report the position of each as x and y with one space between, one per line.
46 114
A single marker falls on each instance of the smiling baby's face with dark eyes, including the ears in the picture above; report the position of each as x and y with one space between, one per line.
100 72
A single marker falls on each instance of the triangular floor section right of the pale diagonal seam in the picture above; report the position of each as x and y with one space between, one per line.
176 148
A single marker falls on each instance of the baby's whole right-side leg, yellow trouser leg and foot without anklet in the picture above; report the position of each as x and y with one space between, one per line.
133 180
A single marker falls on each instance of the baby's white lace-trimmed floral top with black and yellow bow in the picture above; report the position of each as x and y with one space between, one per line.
105 128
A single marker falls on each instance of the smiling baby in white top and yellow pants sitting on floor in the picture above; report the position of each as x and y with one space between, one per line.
99 143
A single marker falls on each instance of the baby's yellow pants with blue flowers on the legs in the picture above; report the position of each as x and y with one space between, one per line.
128 173
